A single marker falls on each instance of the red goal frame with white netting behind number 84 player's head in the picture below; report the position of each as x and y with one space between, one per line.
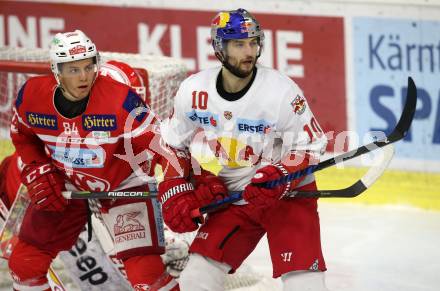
163 76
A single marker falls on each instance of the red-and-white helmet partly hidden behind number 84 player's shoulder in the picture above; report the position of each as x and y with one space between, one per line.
124 73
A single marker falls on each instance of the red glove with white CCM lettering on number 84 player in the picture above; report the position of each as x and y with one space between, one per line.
44 184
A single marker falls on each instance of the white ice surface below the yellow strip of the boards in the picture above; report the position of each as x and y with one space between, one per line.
383 248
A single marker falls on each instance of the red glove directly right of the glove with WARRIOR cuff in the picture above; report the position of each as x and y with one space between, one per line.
209 188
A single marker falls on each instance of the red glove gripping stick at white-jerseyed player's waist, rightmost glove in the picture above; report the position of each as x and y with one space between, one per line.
260 196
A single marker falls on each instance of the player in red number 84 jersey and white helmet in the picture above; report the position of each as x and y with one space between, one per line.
75 130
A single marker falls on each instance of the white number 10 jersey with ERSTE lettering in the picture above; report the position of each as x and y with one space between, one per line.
268 122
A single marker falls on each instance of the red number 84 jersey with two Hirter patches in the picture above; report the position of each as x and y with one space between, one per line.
108 147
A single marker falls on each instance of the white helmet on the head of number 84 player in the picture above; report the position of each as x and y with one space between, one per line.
71 46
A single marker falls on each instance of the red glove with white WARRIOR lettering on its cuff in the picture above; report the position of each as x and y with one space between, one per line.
178 199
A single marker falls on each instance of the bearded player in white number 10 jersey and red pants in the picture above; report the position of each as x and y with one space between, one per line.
259 125
